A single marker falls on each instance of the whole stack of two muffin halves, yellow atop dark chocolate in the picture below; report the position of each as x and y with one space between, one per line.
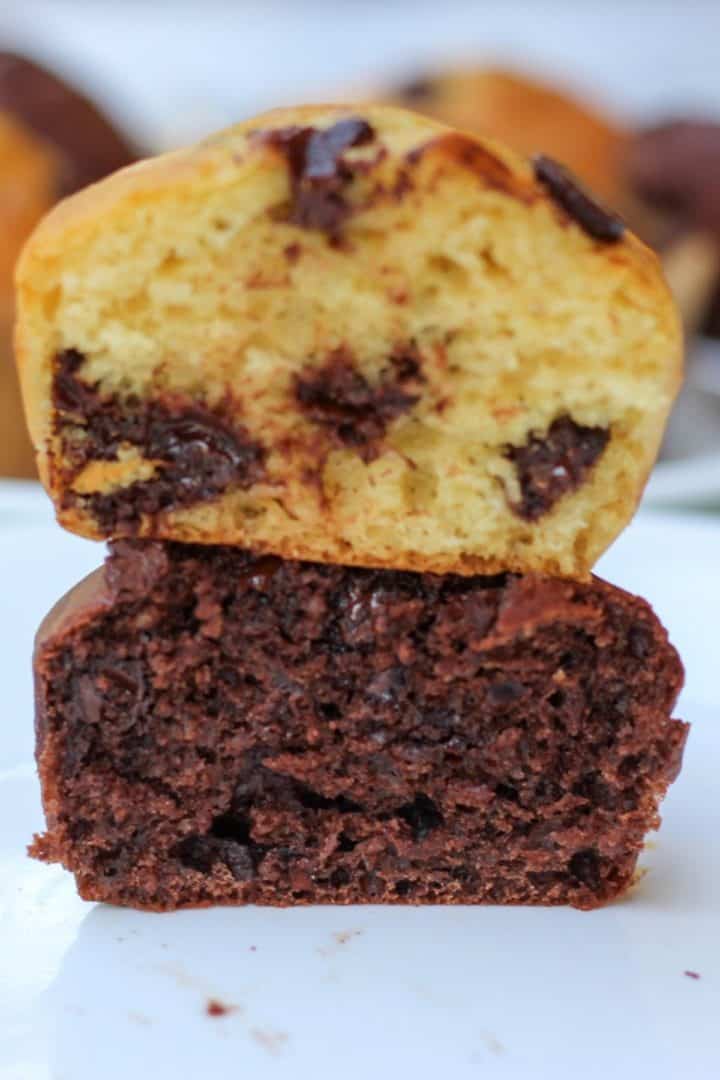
359 401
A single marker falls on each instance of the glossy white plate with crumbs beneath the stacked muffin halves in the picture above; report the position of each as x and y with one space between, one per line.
90 992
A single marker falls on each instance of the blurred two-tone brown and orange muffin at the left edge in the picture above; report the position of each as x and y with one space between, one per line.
53 141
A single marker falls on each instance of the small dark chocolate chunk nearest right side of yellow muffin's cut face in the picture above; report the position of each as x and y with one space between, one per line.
552 465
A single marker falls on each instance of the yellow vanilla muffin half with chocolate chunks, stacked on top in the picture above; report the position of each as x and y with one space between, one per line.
351 337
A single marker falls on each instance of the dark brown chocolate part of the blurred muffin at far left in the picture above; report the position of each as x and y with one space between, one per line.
89 145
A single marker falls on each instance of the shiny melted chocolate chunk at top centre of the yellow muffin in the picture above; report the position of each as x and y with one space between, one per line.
319 173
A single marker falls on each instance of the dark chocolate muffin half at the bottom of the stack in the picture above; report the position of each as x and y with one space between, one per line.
218 727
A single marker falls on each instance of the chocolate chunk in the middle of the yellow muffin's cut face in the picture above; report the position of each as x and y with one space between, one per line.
357 413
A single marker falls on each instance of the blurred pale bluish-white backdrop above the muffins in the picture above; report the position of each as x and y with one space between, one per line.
172 69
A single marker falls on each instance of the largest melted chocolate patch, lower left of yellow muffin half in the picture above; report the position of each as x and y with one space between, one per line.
199 452
